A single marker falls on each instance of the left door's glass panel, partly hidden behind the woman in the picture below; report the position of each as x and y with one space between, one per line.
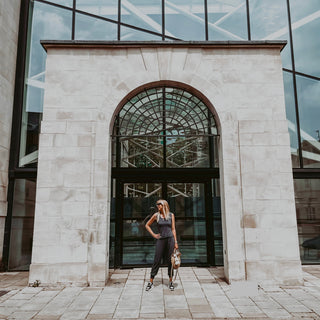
138 202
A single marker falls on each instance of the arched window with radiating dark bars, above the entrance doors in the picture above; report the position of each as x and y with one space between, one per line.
165 127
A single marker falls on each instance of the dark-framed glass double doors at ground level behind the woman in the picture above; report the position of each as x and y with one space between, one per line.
198 222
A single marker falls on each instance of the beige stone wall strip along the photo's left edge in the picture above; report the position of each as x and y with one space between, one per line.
9 25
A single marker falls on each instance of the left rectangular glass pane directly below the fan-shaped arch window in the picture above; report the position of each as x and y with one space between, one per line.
144 152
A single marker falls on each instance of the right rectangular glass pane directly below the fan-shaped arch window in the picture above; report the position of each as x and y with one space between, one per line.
187 152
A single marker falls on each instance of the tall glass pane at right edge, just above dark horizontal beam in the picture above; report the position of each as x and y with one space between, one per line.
309 111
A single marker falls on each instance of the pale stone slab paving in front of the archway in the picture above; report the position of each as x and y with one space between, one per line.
200 293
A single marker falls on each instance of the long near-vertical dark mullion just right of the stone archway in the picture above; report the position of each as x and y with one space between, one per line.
295 86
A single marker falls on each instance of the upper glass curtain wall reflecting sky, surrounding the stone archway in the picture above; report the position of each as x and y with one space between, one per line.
296 21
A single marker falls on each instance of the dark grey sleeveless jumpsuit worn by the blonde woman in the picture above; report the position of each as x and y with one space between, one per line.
164 245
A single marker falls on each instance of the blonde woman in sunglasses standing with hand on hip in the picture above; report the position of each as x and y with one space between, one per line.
166 239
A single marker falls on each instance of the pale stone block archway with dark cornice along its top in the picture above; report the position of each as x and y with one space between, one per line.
85 85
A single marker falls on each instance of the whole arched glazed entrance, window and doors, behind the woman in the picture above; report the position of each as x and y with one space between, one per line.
165 147
